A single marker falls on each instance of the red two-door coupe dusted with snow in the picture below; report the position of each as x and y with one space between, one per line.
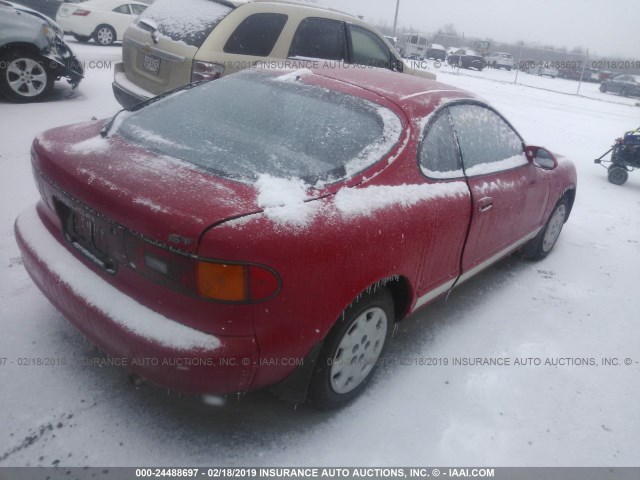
268 228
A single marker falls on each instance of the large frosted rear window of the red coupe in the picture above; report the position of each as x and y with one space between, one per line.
252 123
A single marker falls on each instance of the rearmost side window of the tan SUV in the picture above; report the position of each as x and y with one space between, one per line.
256 35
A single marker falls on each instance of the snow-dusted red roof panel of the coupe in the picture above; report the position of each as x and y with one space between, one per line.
416 96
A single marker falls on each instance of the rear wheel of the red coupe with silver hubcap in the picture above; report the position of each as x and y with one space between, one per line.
351 350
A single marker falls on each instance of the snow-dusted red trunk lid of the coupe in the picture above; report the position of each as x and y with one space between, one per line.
161 198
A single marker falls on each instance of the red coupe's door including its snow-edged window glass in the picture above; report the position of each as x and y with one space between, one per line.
498 174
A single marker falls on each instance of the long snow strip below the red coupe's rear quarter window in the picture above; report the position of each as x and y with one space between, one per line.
365 201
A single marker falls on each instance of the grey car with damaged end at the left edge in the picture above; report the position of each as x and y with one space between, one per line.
32 56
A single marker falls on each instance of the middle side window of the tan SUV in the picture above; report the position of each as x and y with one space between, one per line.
319 38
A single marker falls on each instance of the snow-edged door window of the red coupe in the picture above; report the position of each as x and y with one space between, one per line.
487 142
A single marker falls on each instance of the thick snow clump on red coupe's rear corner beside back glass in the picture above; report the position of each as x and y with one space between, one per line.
285 200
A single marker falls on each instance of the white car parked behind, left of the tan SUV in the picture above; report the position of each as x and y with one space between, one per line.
103 20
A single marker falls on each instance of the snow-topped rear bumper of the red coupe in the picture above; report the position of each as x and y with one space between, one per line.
148 343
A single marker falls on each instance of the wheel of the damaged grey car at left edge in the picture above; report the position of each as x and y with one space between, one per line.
24 76
